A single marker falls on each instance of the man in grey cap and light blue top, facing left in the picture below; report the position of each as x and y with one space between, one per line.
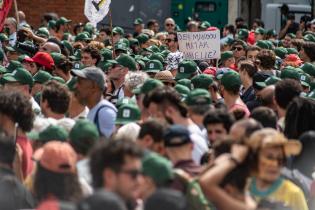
89 91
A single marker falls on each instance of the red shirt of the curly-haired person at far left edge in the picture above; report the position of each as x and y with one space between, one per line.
27 163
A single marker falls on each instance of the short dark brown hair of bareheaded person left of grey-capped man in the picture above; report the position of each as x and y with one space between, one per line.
57 96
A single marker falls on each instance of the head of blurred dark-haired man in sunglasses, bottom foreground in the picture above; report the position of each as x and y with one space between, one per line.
116 167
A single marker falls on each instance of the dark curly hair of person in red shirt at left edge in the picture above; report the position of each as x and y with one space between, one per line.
17 107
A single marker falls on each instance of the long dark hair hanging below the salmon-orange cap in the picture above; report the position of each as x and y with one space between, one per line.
63 186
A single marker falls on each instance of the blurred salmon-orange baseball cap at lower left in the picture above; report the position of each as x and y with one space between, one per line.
57 157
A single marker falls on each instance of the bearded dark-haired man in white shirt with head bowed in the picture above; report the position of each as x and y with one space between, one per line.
164 103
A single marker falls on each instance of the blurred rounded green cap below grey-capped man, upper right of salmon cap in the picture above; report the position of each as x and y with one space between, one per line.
83 129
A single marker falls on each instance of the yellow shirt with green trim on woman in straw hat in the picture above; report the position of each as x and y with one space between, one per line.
283 191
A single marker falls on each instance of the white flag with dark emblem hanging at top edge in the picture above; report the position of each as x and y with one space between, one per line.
96 10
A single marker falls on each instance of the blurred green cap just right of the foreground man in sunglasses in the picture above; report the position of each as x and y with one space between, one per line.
158 168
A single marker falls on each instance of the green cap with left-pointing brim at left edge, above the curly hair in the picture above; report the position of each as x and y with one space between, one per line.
19 75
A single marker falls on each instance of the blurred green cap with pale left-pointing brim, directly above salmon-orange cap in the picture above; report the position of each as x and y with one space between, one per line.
51 133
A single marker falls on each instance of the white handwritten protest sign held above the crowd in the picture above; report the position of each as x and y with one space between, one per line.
199 45
